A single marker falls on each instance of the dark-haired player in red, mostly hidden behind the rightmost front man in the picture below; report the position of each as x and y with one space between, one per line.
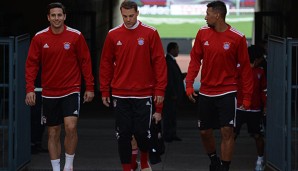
253 117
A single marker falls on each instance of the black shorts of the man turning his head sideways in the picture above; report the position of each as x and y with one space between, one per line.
216 112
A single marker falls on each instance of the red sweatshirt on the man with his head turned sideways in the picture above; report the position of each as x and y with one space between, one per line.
219 53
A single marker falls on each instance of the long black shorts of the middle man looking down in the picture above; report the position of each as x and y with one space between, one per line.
133 117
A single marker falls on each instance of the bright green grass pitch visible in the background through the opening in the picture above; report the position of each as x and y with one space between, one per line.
187 26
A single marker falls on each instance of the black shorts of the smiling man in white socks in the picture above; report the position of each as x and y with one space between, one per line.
55 109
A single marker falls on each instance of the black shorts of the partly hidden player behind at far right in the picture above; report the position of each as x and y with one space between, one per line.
253 121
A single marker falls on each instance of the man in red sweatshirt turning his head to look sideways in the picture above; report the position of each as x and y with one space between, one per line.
218 48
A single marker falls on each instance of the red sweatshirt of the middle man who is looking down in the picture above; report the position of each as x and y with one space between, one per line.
133 63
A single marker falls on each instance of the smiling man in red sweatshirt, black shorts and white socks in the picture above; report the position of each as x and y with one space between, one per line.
63 56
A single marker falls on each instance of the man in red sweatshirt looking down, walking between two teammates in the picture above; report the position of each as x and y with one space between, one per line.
133 69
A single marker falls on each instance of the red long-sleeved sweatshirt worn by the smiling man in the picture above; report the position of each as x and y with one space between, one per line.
62 58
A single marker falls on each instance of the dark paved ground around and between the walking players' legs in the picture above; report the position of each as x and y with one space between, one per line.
97 148
